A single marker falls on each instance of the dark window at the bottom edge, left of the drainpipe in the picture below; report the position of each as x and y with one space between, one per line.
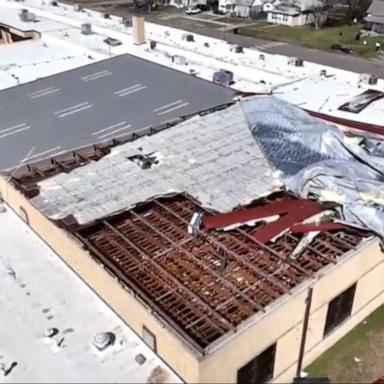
260 369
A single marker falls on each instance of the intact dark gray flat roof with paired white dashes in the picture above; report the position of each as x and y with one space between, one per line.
97 102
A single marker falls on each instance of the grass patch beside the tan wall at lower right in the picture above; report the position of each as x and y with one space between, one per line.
358 357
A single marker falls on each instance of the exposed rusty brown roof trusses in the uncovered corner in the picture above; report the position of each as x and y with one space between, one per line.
204 285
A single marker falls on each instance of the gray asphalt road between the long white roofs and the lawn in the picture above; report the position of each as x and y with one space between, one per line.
170 18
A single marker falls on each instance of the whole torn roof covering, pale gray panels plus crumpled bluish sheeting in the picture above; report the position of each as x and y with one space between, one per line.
216 160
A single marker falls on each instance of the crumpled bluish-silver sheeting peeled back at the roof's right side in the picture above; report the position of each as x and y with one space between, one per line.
318 160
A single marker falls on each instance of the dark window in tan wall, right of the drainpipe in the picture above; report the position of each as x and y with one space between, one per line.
339 309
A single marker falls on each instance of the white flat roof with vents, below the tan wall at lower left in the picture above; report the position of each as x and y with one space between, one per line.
51 319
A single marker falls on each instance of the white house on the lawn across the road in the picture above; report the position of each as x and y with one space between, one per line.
289 14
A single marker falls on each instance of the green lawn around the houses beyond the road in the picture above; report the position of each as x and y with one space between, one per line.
319 39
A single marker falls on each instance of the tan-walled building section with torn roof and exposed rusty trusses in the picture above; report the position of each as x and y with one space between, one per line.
234 243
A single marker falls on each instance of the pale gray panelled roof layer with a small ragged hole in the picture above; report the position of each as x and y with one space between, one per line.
213 158
